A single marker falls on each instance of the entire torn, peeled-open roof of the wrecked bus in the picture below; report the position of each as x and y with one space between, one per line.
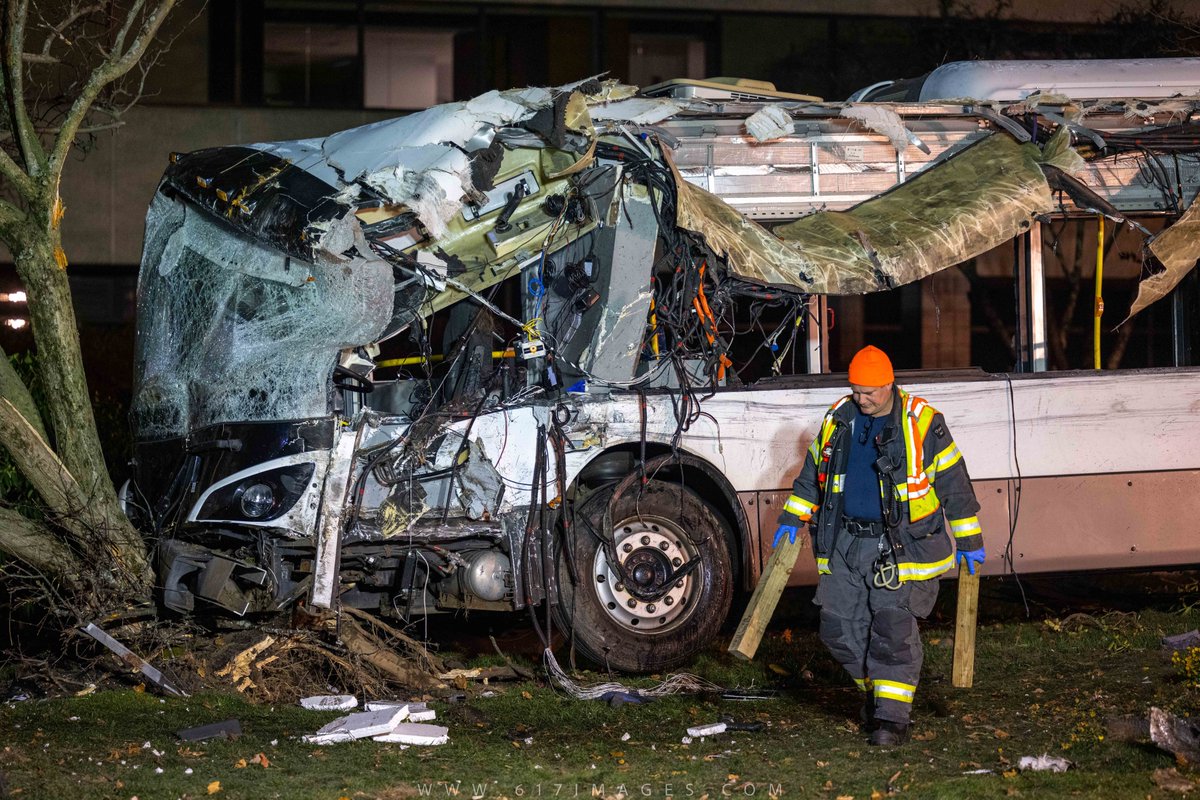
463 193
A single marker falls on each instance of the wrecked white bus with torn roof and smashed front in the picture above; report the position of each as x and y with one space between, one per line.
493 356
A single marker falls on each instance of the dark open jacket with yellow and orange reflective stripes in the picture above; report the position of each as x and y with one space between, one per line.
927 476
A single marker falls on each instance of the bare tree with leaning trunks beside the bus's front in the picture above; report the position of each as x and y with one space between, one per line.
87 543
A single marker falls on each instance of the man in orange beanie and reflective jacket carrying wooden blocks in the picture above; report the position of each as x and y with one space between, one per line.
879 480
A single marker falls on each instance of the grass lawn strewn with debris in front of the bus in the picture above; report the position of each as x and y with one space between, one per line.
1043 685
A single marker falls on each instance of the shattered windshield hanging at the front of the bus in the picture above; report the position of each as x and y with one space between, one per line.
233 330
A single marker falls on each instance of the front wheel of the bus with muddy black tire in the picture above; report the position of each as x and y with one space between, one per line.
651 619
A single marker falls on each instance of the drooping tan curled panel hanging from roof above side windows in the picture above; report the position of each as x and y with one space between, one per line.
976 201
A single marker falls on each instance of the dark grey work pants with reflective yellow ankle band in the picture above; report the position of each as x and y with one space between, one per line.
871 631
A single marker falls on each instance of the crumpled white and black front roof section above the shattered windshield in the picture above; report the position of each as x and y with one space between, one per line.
290 193
